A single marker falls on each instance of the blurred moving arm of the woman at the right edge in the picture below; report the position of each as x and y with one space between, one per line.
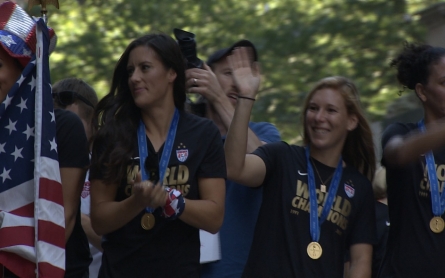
403 150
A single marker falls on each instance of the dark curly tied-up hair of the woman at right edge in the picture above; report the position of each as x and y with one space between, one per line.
414 63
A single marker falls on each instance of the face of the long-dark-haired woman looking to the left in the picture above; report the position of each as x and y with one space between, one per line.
150 83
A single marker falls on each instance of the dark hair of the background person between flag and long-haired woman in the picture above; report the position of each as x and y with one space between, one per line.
82 88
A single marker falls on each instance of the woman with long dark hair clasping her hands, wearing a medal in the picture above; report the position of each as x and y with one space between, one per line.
148 200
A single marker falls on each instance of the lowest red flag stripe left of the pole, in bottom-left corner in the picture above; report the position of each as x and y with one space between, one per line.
18 265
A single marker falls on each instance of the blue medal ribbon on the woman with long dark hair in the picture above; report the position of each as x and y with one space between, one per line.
165 157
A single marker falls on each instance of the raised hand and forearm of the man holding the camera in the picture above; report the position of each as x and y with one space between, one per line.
210 89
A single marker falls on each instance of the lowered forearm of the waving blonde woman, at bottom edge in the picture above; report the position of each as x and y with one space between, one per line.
361 258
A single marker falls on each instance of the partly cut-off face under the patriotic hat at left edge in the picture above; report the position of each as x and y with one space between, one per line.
9 73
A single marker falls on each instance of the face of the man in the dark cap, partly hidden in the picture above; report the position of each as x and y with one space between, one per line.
223 73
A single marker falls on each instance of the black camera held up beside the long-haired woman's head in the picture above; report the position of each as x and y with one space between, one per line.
187 44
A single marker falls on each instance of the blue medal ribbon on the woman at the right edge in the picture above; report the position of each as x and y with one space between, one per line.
437 199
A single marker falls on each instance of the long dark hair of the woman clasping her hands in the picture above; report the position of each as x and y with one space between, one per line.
117 117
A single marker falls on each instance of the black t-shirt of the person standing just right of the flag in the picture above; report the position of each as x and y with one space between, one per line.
72 149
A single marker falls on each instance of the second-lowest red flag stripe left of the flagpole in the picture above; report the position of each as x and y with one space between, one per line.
18 235
